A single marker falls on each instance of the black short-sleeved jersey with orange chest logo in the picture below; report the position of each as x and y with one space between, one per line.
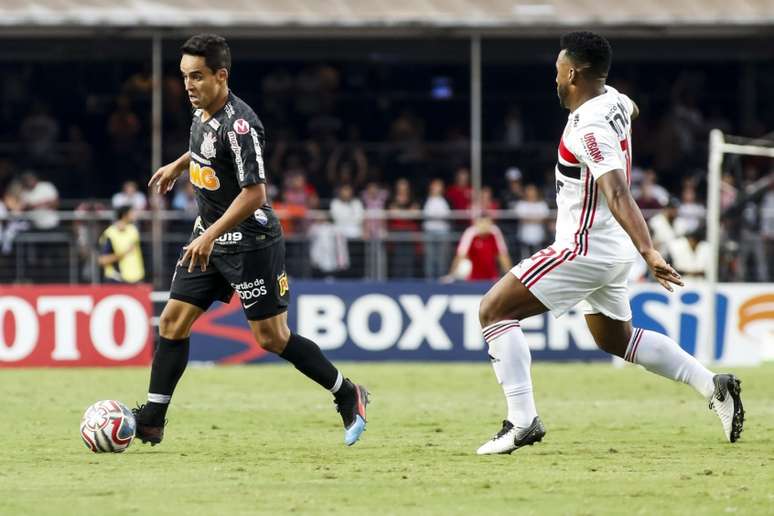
227 155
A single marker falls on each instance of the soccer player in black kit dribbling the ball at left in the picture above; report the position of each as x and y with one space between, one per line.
236 244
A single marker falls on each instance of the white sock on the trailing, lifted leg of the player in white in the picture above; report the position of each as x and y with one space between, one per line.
661 355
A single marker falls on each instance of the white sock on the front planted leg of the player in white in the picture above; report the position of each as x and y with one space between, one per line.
511 361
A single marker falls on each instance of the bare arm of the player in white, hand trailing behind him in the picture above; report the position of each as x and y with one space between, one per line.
627 213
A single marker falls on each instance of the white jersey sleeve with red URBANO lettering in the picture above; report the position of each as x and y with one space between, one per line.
597 146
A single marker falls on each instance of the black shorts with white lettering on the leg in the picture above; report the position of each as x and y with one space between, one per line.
258 277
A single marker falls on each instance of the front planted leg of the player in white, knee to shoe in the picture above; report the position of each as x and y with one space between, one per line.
502 308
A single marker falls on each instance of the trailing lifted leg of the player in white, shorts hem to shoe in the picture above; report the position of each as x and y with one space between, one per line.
610 325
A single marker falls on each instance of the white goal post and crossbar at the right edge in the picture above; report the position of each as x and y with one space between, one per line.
720 145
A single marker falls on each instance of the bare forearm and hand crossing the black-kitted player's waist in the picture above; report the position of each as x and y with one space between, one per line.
244 205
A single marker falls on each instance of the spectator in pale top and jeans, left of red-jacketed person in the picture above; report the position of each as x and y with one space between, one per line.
436 227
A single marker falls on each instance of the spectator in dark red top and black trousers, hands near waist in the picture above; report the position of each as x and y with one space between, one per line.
403 213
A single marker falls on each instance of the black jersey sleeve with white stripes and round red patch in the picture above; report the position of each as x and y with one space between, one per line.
245 141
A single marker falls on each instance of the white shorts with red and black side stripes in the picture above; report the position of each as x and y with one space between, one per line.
561 280
